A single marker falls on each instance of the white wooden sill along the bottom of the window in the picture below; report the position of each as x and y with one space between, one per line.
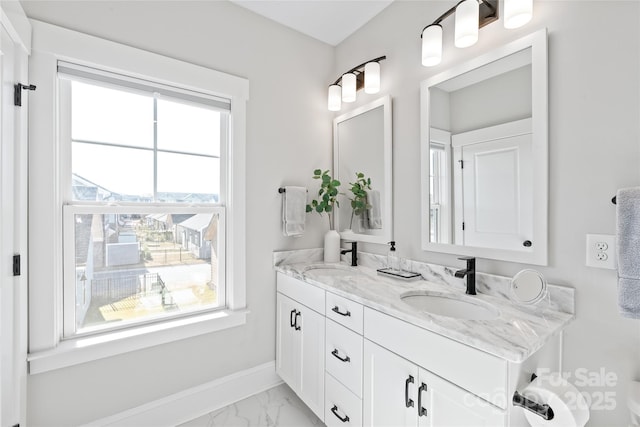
80 350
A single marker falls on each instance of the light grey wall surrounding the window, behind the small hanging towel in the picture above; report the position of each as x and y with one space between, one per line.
288 136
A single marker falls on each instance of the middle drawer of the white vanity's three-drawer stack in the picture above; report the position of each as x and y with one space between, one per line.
343 356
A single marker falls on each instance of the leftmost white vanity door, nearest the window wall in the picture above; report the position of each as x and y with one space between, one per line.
287 342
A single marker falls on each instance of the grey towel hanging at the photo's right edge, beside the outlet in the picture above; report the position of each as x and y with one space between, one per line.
628 246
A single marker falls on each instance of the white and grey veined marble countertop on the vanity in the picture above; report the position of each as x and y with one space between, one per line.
517 333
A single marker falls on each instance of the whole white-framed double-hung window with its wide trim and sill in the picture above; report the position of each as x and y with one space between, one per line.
58 280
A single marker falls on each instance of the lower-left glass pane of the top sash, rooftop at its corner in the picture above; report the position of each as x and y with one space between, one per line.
111 173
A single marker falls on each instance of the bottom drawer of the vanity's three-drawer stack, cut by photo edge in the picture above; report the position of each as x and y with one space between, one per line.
342 408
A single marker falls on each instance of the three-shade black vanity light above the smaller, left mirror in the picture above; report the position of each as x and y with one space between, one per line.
365 75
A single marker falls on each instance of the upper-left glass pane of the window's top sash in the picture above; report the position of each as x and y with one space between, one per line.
100 114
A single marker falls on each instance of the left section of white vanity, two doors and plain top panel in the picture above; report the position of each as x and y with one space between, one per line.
300 340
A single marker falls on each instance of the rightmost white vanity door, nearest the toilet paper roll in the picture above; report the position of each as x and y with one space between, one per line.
447 405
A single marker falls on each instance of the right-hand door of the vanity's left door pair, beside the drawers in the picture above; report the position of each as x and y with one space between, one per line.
311 333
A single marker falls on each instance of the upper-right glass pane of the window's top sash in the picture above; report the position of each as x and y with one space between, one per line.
188 128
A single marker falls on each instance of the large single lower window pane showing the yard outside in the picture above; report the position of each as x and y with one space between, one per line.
136 267
